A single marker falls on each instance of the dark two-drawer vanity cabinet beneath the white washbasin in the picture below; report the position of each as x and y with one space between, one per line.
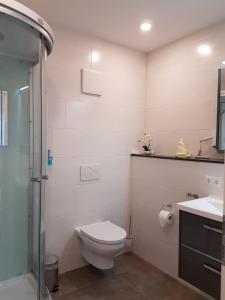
200 252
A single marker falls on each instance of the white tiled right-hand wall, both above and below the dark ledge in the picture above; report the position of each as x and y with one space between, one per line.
181 102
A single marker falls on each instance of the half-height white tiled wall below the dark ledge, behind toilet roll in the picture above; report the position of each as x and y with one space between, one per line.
155 182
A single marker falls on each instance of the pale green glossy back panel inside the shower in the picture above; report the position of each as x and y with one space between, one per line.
14 171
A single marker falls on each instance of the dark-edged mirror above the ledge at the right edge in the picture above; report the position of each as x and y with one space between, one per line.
220 133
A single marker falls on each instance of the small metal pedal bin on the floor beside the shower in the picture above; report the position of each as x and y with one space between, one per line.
52 272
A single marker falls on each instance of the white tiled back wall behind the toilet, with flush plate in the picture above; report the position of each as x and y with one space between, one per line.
85 129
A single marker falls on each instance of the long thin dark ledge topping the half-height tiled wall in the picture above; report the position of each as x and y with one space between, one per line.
193 159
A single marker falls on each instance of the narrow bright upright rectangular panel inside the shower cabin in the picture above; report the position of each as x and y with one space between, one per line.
3 118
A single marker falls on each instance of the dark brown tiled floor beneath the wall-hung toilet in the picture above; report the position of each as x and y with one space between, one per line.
131 279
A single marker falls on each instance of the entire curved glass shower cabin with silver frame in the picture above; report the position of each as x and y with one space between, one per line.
25 42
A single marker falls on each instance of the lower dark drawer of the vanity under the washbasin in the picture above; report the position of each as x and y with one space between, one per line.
200 271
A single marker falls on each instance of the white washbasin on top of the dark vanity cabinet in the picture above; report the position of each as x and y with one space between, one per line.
208 207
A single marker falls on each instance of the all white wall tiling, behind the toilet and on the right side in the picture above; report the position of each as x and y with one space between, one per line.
84 129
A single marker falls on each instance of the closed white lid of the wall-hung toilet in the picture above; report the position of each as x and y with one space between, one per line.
104 233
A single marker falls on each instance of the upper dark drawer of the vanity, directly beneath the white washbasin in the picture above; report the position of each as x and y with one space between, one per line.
202 234
